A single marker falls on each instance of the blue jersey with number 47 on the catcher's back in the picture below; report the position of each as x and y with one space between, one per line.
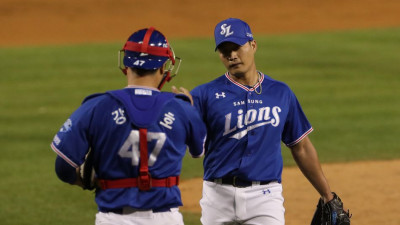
108 124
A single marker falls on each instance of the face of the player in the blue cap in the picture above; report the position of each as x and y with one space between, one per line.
237 59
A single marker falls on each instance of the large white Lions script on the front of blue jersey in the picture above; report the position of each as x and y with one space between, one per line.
252 119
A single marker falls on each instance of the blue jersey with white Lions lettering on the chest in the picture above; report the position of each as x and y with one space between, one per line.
245 129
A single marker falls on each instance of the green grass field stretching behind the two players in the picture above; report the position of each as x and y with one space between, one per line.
347 82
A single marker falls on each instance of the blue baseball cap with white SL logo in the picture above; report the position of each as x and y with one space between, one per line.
232 30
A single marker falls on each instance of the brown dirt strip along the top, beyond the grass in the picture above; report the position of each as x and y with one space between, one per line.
35 22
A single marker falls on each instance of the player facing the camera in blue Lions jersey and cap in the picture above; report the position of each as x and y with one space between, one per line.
248 114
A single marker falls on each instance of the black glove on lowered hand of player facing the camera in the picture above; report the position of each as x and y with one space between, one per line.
331 213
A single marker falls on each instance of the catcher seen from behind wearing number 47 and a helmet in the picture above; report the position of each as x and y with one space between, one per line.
134 138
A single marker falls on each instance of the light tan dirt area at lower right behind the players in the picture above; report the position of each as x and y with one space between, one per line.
369 190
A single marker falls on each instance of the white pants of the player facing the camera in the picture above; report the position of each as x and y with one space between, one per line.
255 205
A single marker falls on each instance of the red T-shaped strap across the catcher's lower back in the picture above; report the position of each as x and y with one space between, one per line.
144 180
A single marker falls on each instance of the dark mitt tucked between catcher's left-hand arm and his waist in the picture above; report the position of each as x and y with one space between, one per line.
87 173
